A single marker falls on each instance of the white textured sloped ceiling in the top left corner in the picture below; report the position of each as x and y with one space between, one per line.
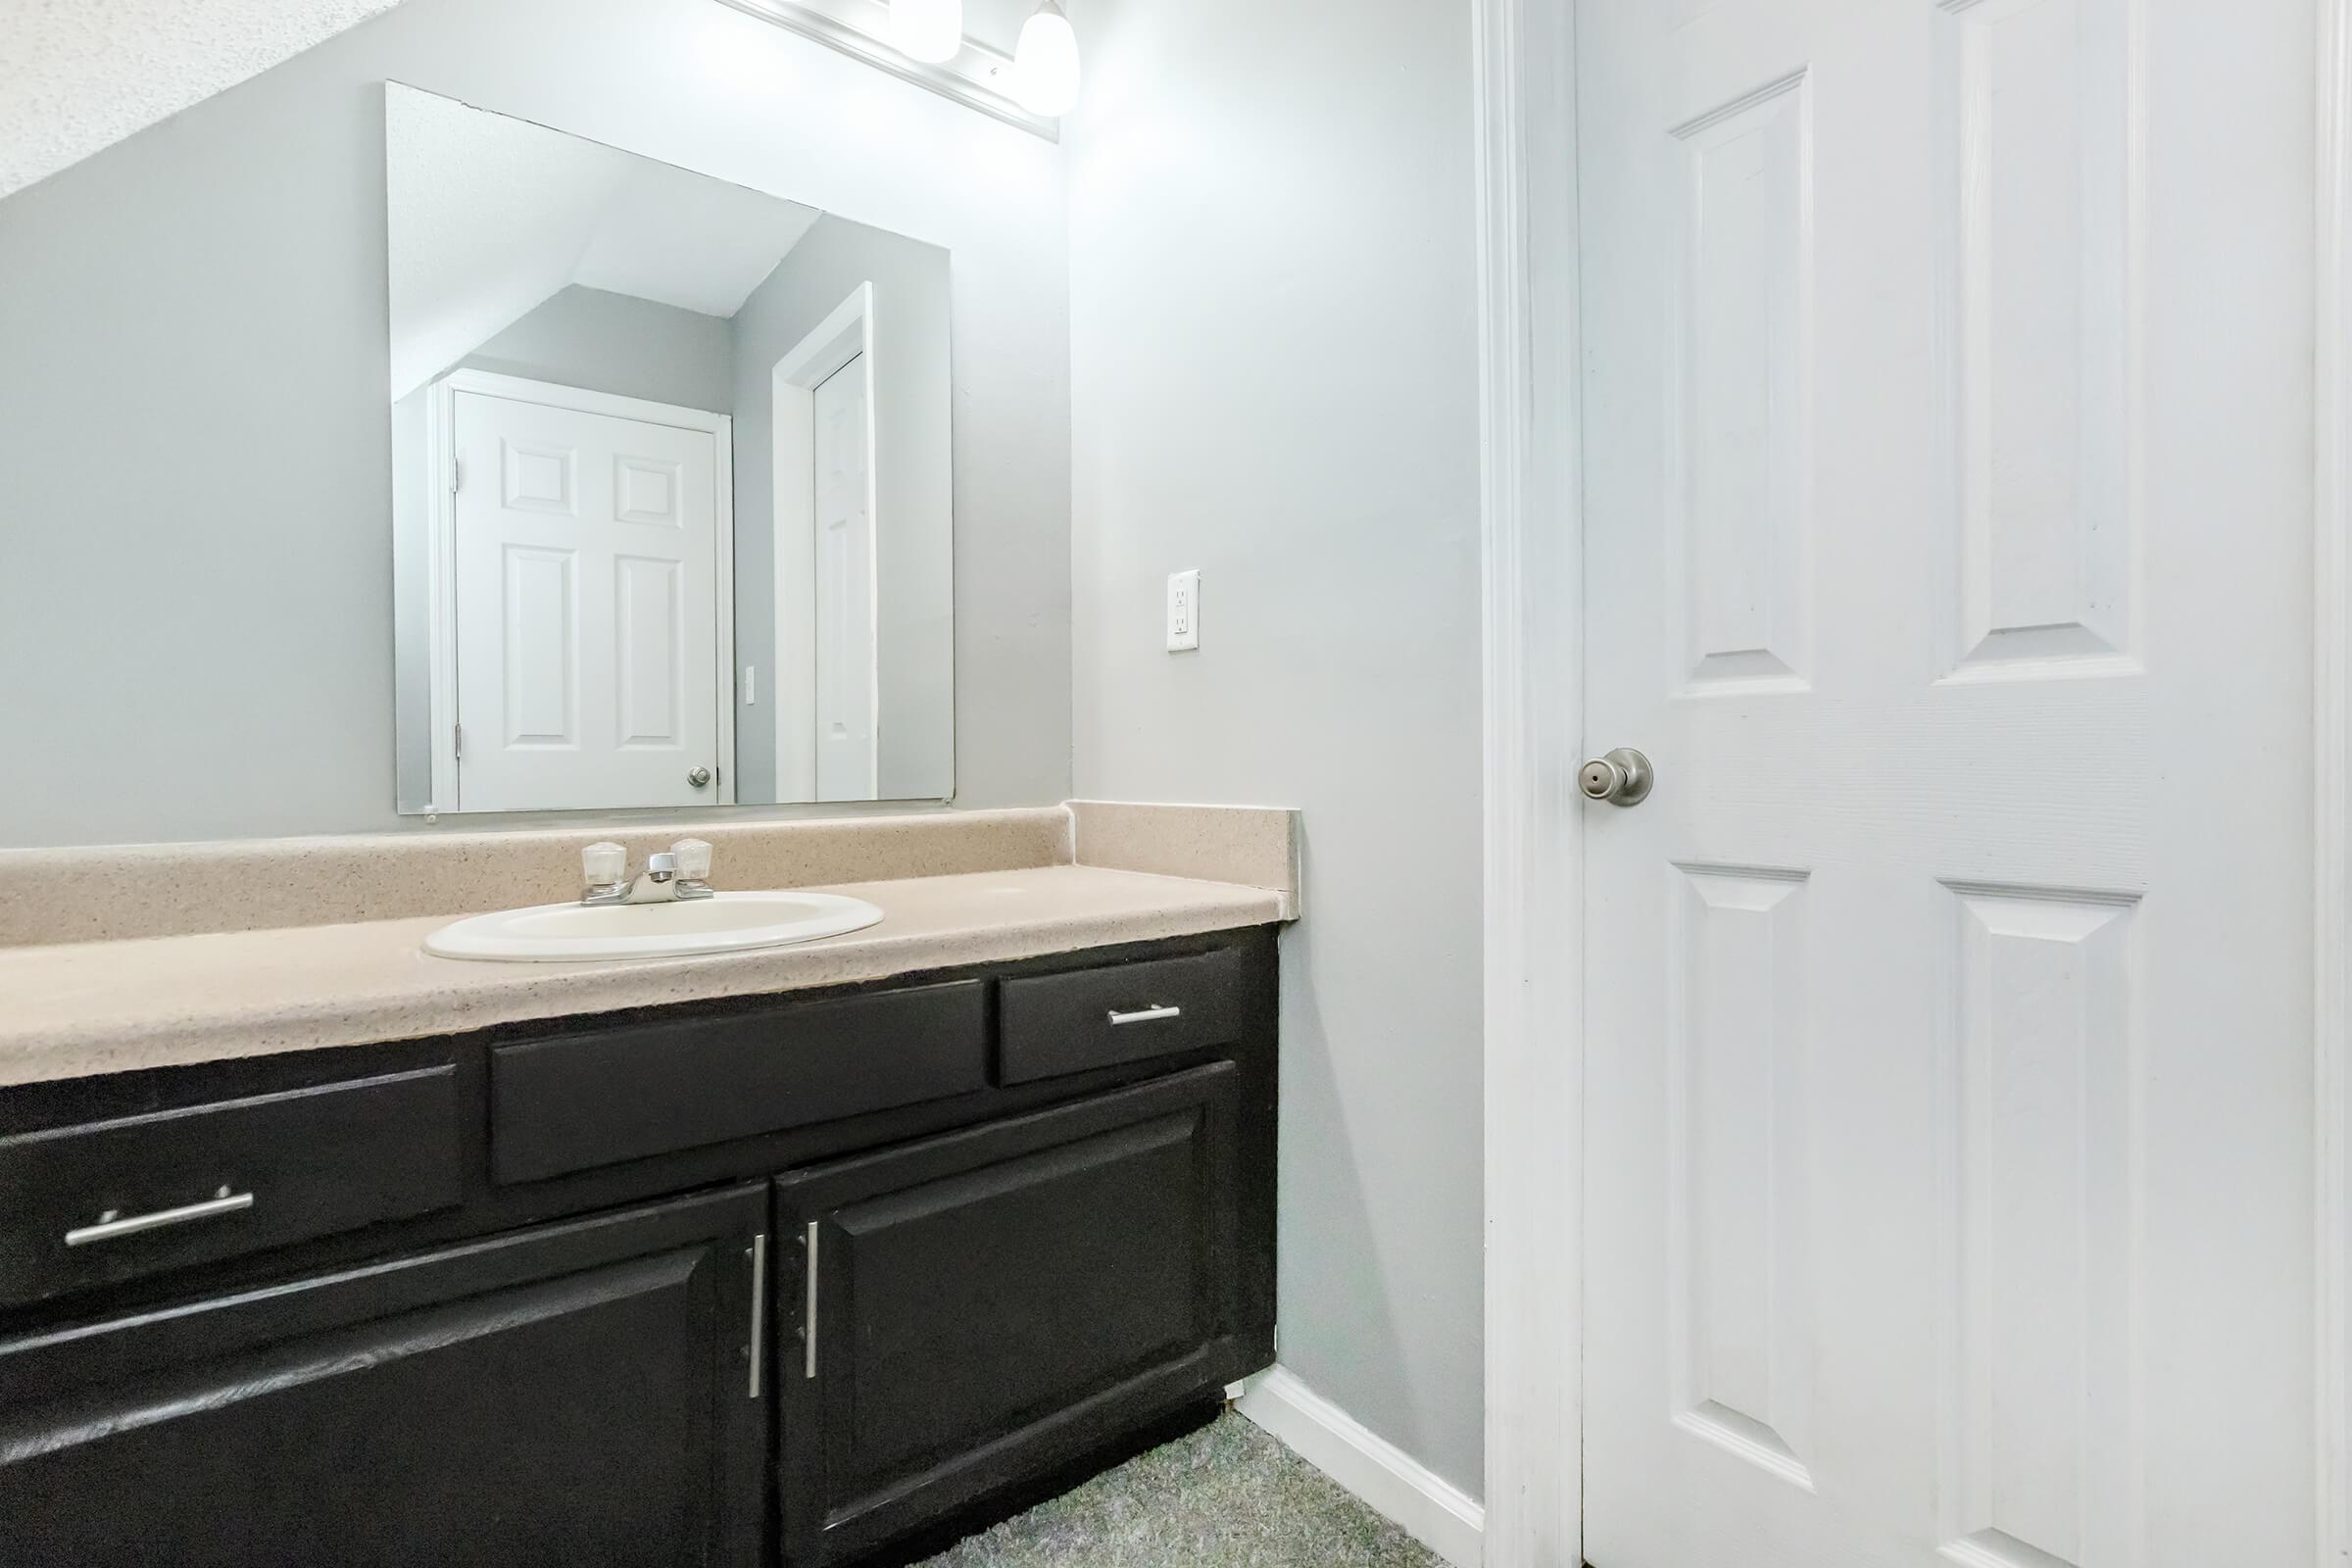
83 74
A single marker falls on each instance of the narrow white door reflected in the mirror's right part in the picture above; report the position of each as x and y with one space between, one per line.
846 589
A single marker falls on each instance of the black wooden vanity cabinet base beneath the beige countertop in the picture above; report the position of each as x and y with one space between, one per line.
777 1278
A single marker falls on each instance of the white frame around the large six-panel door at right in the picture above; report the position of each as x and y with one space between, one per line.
1532 565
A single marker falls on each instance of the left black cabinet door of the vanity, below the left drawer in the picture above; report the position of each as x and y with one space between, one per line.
566 1395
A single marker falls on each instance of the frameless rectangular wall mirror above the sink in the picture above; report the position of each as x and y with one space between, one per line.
671 483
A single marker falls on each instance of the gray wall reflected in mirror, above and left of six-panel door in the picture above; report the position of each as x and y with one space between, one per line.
575 337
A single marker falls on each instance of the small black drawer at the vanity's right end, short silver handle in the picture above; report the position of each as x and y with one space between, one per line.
1121 1014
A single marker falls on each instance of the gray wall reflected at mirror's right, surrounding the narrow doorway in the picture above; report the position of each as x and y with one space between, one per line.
914 492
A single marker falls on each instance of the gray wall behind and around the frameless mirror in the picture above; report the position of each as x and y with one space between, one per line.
194 462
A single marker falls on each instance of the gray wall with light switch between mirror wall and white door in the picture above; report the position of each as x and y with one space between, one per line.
1276 380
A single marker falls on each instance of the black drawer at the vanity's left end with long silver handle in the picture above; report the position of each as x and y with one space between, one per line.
116 1200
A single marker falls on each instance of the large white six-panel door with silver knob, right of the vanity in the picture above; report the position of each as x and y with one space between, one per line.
1949 1111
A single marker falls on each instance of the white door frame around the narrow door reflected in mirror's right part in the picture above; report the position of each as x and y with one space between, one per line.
794 382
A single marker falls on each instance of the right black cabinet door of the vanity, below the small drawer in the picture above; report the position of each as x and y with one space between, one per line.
996 1304
